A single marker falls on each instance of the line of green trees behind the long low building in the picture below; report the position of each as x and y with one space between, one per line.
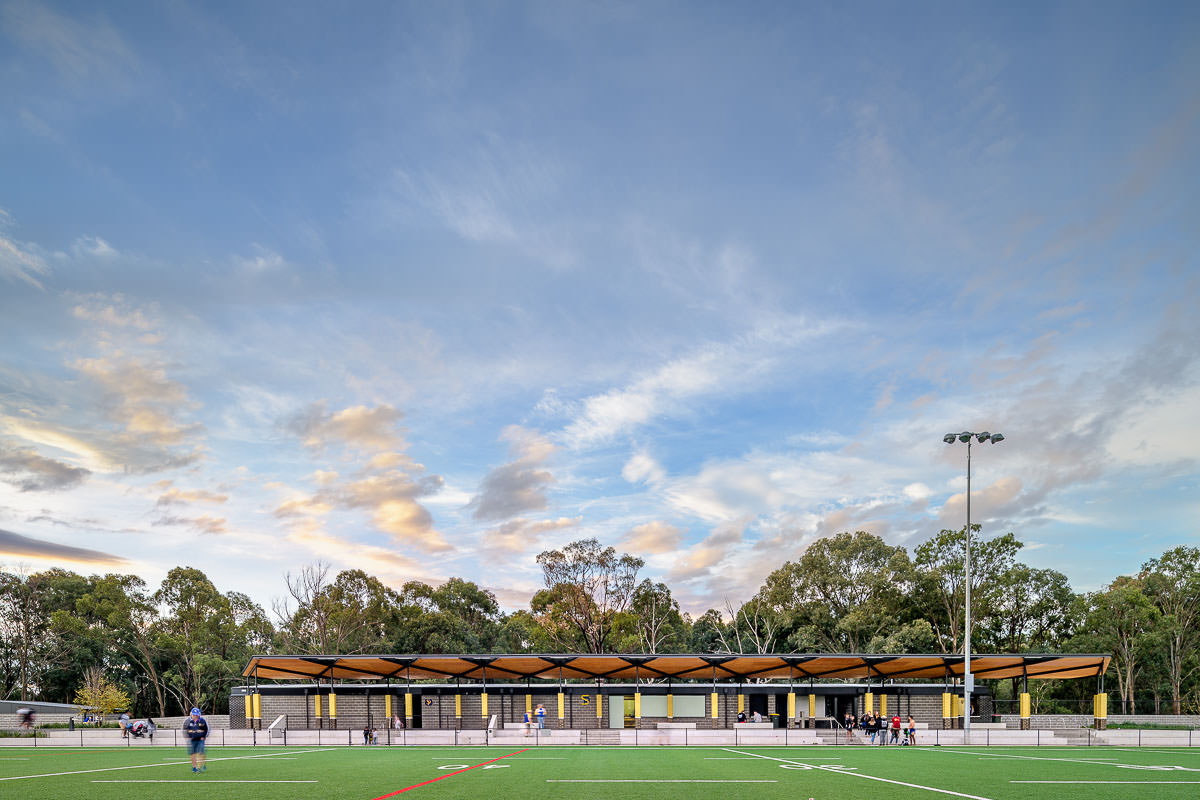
185 643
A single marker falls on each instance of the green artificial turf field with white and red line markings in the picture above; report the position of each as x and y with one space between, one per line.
603 773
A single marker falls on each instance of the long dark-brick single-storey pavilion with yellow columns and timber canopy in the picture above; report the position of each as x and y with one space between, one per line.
466 693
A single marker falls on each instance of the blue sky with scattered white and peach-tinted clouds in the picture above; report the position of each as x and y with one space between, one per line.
427 290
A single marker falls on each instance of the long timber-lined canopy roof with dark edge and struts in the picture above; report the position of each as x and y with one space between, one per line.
680 667
